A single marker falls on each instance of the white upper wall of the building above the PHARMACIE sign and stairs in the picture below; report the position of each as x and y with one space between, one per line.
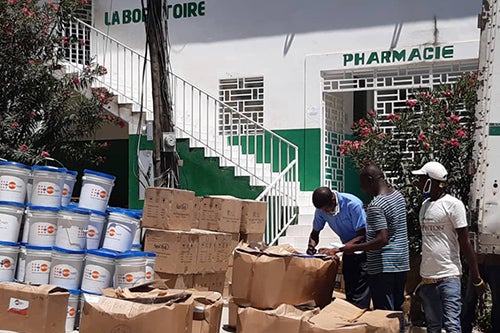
276 38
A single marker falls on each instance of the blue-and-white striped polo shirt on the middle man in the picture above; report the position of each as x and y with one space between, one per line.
388 211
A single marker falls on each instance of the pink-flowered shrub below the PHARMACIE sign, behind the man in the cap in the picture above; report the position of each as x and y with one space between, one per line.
436 125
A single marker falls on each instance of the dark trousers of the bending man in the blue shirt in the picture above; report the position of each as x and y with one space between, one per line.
357 290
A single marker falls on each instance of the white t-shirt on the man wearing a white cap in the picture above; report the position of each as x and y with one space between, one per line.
440 246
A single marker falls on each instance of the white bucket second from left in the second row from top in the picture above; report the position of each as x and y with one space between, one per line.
42 222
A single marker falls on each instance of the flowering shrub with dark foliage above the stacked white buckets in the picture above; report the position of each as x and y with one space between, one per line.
44 111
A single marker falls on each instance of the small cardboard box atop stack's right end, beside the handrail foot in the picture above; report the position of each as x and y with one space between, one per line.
253 216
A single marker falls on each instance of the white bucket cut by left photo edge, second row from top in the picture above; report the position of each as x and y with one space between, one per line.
11 215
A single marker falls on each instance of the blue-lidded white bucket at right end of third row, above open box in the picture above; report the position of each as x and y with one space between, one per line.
130 269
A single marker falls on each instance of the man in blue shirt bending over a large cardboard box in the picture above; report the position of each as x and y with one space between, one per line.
345 215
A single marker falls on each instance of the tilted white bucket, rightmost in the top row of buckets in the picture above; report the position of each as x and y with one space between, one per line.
96 189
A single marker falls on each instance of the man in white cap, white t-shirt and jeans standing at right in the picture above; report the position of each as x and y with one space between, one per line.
444 235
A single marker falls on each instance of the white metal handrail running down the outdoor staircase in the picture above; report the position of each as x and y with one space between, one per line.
270 160
